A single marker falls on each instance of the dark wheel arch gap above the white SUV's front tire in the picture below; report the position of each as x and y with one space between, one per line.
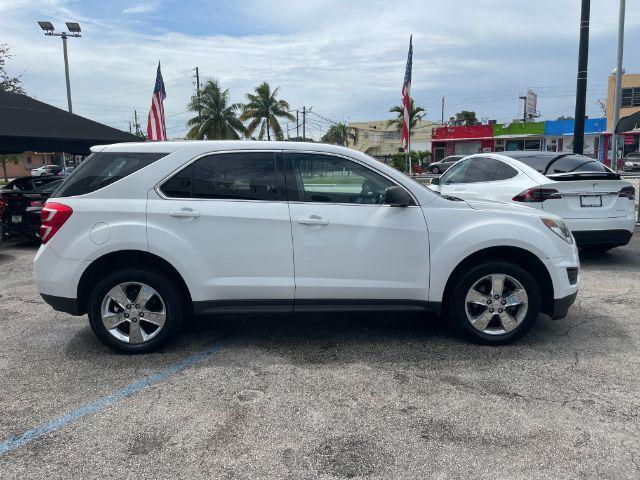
519 256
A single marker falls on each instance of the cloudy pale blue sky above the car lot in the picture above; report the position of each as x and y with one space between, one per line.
343 58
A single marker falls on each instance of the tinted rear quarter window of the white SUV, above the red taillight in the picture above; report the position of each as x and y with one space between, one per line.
102 169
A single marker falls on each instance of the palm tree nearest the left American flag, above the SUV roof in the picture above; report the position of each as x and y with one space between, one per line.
215 119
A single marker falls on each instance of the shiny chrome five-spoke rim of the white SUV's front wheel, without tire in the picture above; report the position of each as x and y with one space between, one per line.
496 304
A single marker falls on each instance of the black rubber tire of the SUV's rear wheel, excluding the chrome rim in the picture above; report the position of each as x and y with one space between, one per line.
164 285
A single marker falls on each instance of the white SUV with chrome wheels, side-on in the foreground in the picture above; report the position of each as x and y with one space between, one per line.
142 235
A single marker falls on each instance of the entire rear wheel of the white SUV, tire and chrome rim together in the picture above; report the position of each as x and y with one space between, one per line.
135 310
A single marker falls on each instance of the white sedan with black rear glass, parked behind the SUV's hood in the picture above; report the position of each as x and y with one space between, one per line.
594 201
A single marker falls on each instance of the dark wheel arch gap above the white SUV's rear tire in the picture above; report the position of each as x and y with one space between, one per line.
122 259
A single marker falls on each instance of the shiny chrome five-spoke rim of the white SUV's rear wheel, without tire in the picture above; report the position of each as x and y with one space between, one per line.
133 312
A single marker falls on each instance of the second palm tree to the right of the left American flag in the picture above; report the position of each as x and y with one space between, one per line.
263 109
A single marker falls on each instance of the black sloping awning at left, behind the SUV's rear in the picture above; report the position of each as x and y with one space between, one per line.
27 124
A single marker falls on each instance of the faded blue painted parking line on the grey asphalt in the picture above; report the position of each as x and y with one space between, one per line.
103 402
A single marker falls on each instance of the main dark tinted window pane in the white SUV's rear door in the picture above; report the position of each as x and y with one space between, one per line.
242 175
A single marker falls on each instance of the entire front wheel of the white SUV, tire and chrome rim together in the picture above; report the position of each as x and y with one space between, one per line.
494 303
